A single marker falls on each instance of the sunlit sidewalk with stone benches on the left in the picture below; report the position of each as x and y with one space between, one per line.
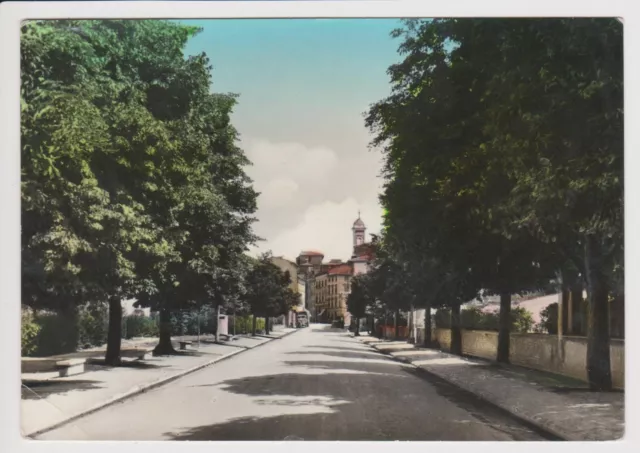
47 403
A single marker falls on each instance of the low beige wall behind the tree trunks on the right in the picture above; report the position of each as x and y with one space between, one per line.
567 357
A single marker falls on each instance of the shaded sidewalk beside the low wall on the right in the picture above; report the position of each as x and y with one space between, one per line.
558 405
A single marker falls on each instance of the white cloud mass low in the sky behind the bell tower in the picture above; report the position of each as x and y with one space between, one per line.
310 196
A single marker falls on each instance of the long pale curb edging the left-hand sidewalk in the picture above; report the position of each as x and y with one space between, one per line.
144 388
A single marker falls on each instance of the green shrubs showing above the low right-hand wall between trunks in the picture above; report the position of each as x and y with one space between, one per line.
473 318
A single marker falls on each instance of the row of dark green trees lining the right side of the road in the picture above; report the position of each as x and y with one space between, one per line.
503 146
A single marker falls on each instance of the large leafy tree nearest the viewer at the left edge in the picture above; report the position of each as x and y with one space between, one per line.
79 236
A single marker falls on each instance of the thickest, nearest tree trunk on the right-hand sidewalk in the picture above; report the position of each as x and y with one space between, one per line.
598 336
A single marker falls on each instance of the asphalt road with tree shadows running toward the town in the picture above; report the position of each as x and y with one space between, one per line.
317 384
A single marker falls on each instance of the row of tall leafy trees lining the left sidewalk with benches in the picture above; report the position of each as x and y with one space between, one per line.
132 183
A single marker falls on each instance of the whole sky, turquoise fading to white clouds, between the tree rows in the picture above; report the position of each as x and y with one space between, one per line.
304 85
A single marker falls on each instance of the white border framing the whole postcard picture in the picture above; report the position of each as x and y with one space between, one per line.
11 14
